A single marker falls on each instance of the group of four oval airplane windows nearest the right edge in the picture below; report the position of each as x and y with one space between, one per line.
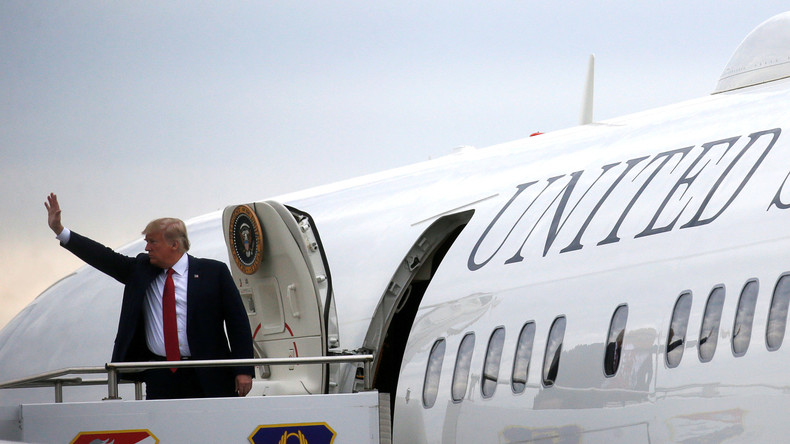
742 327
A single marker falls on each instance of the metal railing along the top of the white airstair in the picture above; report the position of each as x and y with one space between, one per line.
115 369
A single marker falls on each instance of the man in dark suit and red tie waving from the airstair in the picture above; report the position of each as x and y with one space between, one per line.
175 306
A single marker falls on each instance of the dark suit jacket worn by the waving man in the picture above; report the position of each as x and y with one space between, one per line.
213 304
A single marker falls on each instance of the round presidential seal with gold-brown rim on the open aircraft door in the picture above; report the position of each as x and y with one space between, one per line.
246 239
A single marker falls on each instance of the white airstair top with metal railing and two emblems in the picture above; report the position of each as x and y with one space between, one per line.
361 417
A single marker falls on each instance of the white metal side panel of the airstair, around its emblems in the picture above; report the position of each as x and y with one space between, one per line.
353 417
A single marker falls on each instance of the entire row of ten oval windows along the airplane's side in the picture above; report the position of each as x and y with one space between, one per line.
706 346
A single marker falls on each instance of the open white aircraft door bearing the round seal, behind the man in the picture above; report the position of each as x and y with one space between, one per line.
281 272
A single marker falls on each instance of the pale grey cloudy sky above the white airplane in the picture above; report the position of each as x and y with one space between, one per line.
131 111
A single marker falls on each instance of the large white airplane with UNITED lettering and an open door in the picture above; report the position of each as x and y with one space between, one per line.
626 280
